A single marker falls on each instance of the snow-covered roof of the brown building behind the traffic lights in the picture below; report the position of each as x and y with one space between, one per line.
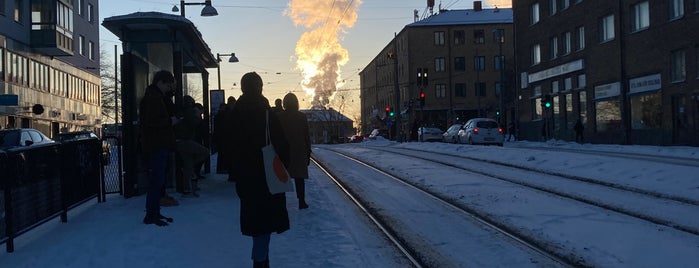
467 16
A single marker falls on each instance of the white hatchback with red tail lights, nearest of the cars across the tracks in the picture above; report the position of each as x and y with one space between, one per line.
481 131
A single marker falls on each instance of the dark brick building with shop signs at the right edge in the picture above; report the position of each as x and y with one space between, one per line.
627 69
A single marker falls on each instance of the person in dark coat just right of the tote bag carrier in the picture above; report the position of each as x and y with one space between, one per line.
295 124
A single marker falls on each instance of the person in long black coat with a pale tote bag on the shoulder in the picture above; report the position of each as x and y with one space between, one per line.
261 213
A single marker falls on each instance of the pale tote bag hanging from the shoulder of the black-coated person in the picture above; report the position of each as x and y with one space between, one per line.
275 173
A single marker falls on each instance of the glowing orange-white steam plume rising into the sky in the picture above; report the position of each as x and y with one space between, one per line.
318 51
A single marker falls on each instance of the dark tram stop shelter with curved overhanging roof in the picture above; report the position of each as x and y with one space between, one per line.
154 41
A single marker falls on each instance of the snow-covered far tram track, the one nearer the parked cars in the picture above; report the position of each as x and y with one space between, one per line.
634 204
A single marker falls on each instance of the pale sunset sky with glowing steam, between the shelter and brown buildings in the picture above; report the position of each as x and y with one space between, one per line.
264 35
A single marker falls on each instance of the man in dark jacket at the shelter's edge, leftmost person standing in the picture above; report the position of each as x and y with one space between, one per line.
157 117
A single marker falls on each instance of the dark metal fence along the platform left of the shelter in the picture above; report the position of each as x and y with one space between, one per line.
40 183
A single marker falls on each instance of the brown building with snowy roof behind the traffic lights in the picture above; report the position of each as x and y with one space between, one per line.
449 67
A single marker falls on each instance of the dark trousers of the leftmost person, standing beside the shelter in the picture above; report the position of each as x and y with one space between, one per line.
157 162
